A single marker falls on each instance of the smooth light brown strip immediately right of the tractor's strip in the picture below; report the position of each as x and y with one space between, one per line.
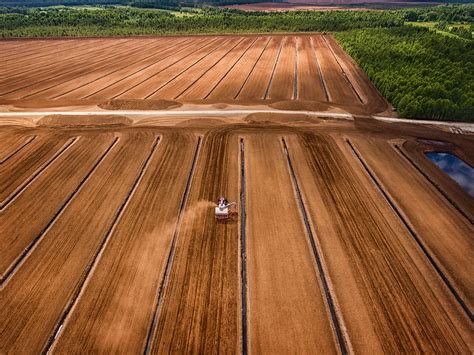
282 276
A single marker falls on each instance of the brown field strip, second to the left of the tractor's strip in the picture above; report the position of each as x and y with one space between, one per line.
71 256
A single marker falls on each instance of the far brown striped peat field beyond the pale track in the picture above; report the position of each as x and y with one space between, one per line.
231 70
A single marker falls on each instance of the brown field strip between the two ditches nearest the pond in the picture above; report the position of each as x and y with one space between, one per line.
449 241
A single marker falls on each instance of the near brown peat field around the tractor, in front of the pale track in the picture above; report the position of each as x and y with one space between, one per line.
339 243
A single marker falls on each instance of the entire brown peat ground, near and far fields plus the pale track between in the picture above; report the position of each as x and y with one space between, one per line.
346 239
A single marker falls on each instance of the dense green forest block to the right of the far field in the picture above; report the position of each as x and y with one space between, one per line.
422 73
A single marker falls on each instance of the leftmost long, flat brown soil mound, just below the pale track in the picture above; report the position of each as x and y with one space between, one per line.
83 121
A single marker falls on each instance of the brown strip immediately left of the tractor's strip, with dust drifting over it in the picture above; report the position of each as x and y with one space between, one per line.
142 237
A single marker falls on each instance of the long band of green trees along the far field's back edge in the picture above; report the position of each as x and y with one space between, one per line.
120 21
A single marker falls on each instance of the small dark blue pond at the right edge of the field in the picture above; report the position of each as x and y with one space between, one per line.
456 168
